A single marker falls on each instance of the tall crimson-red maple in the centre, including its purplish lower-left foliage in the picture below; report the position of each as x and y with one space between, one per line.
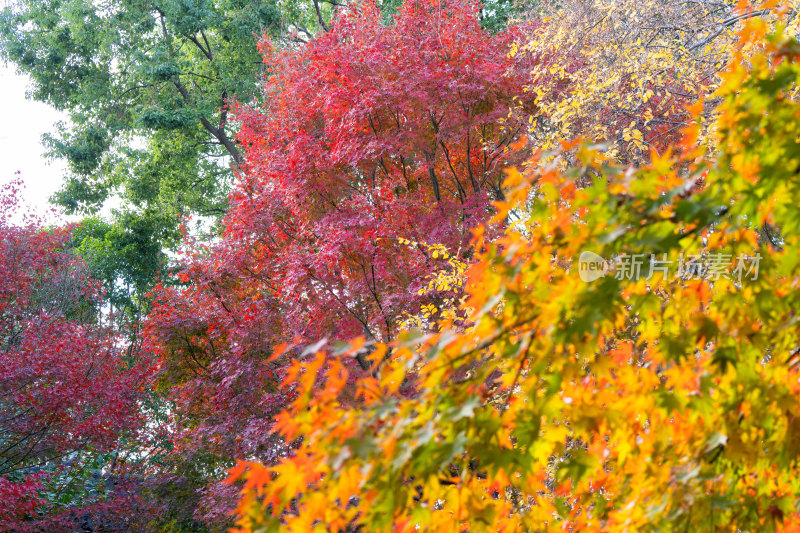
369 132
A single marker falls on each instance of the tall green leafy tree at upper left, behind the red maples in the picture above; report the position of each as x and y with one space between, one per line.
147 86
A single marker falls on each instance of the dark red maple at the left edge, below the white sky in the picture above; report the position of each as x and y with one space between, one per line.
69 386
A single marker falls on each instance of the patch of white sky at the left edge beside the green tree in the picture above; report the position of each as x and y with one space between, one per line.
21 149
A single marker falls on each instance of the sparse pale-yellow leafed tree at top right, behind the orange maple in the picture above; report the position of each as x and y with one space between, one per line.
635 67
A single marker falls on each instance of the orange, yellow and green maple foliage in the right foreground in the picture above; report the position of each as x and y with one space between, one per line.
652 402
